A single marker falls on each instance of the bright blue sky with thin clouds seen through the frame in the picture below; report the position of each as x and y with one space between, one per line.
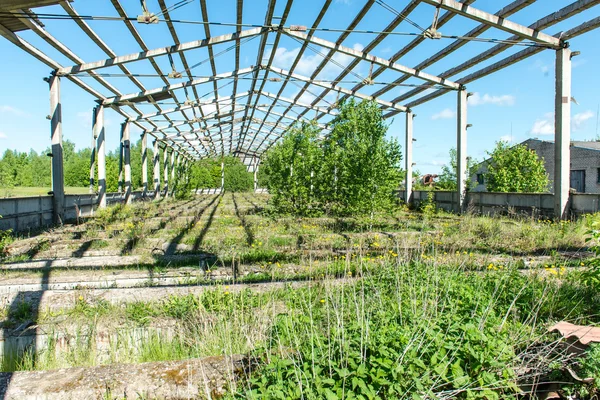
514 104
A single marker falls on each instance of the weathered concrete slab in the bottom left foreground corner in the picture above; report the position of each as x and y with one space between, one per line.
190 379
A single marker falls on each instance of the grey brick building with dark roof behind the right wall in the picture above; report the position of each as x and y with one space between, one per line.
585 165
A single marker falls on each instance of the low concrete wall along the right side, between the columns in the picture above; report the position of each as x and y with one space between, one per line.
487 203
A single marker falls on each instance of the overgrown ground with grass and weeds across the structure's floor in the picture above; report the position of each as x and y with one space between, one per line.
406 304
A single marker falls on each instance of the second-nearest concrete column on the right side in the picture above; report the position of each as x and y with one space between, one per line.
461 150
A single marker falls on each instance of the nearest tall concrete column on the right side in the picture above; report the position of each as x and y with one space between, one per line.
562 134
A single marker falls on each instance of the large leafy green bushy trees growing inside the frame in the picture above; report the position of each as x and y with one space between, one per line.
353 170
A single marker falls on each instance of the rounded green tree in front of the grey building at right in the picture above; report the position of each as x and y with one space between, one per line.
515 169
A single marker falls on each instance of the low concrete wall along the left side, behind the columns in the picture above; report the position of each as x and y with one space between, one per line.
28 213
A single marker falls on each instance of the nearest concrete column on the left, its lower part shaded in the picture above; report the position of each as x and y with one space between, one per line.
58 181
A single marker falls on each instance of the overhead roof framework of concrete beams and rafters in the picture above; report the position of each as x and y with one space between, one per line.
247 121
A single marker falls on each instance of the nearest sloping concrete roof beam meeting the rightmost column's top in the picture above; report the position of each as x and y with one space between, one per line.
496 22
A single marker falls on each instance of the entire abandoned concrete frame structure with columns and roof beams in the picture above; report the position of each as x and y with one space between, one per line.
224 131
